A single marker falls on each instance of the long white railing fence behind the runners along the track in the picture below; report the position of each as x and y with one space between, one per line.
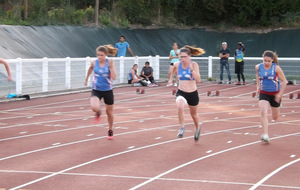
54 74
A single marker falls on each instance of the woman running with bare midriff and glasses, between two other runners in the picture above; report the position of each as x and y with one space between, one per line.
188 75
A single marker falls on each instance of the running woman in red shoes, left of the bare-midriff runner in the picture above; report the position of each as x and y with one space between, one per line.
104 73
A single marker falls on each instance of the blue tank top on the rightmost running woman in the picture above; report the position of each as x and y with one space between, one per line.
268 78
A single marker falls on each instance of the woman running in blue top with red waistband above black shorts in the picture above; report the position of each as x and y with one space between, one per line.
269 89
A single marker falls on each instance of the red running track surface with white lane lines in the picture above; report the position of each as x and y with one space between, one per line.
52 143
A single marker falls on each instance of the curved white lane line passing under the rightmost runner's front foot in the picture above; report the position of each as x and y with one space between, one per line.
202 158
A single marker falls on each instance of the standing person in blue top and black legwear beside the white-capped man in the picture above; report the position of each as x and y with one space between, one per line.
239 63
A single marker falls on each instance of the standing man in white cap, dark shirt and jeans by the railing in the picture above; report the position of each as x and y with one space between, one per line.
224 55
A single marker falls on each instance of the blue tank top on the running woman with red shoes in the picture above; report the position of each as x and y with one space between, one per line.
102 78
